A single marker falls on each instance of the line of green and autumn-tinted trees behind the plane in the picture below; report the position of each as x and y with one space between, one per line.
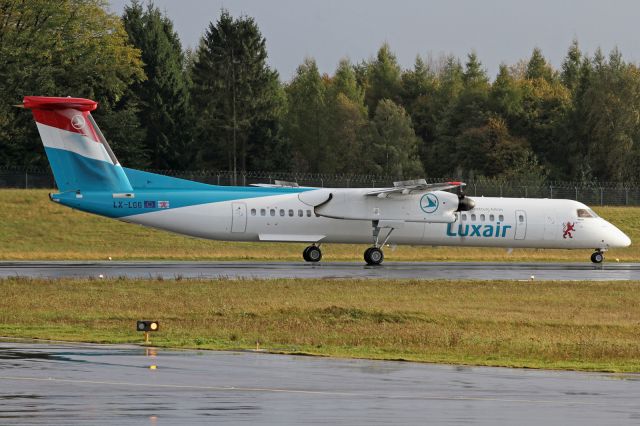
221 106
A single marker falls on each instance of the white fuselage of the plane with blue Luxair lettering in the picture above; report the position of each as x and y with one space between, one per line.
493 222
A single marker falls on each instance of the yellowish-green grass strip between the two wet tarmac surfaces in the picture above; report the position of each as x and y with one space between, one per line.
558 325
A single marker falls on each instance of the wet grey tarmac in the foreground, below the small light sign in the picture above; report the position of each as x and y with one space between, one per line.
62 384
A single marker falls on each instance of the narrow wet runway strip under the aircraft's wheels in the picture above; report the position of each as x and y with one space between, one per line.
416 270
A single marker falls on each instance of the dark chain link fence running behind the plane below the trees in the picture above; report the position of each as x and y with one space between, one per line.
591 193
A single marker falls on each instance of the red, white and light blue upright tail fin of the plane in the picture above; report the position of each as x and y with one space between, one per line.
80 156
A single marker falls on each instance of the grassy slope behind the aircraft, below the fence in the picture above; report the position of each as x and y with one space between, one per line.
33 228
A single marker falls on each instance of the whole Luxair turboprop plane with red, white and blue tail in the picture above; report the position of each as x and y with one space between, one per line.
90 178
